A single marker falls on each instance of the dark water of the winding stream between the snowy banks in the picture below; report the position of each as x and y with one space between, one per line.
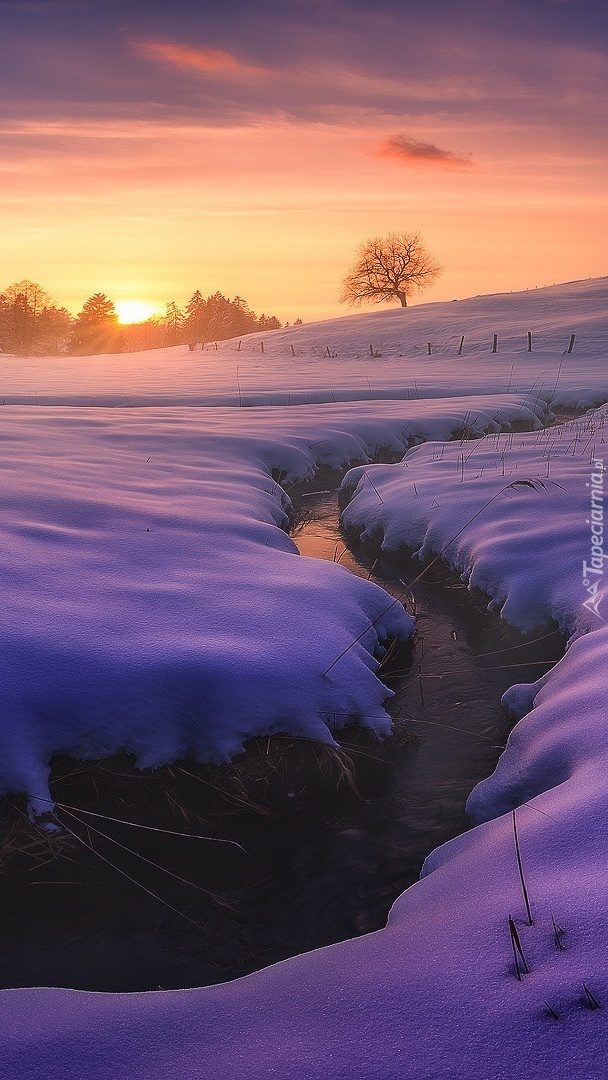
320 865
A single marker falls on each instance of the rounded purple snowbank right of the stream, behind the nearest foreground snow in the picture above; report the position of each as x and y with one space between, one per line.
511 514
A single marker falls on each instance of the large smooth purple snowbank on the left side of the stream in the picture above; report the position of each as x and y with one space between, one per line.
153 600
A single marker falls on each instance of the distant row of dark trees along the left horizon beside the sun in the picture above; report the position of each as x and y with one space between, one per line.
32 325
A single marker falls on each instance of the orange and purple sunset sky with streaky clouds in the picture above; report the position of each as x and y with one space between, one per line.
148 150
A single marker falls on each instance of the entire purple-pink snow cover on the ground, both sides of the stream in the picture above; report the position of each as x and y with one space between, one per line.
206 610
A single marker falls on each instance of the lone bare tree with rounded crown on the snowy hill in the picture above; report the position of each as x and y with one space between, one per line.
389 268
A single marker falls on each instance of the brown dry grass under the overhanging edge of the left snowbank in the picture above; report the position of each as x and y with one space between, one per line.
277 776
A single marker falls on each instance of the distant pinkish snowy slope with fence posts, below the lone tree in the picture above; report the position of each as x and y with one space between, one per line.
295 367
